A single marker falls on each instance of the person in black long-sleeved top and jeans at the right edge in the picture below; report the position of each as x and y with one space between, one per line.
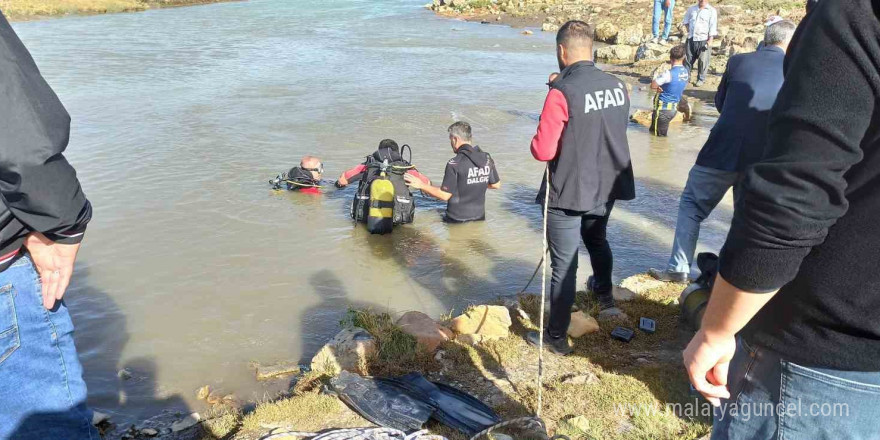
798 280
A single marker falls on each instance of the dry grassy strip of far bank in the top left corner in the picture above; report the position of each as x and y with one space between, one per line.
20 10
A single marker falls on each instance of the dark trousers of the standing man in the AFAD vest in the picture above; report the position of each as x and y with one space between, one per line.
565 231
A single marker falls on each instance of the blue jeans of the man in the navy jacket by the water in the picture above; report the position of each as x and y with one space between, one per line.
703 191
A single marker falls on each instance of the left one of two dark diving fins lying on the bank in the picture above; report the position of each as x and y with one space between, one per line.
382 402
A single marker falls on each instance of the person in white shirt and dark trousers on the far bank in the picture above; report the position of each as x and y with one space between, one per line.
701 20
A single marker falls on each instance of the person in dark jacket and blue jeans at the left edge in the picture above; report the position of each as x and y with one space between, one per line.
43 217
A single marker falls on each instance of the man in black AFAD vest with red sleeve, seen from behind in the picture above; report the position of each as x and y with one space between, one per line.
582 134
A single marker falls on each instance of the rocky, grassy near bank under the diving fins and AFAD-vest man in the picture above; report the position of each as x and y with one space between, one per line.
594 393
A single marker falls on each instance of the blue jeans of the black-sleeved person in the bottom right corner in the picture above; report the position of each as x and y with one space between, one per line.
772 398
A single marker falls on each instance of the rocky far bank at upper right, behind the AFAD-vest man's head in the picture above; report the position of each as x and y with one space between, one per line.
624 26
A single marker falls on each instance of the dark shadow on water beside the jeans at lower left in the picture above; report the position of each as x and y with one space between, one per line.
134 395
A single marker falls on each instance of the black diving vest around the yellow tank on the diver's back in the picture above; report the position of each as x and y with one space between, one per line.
404 202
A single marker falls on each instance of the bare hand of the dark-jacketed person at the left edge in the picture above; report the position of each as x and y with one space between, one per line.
54 263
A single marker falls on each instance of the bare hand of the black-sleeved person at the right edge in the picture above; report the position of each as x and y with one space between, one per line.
707 359
